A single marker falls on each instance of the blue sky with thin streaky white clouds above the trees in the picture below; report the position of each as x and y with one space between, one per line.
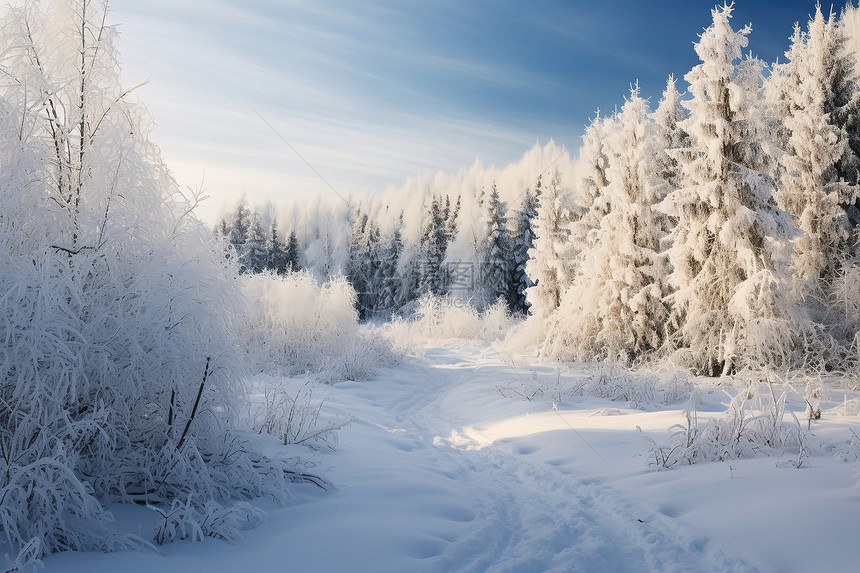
372 92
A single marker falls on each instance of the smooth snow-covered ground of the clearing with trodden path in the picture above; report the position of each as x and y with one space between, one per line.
447 468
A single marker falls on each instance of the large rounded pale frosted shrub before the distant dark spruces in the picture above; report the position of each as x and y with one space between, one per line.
294 325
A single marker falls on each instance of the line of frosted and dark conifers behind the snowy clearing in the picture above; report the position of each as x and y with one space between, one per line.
718 228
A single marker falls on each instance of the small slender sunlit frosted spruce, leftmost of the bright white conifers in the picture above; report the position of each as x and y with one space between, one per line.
547 267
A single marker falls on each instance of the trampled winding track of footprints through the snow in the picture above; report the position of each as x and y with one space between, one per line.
526 515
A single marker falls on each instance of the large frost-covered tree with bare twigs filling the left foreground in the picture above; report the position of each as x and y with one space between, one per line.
119 375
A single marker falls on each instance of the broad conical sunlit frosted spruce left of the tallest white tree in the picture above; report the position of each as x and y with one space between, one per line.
620 285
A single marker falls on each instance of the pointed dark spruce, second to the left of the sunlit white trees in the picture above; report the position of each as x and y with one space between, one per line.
495 253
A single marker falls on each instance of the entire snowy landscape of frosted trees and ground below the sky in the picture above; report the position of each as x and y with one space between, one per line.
513 355
